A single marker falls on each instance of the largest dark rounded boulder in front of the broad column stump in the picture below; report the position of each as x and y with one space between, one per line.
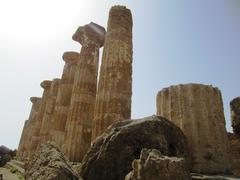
111 155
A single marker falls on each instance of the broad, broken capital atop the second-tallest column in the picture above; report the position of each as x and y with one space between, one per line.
90 34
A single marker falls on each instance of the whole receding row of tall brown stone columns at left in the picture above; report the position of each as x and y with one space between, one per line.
72 112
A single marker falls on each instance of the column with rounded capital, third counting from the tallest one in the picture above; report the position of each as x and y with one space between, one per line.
64 97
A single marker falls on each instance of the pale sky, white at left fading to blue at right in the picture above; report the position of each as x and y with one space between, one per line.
174 42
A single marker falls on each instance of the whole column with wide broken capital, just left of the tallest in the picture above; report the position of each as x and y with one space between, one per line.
78 138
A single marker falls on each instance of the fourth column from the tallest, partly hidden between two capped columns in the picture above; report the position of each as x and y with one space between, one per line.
47 121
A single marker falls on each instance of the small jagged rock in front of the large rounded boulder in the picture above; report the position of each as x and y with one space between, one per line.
152 165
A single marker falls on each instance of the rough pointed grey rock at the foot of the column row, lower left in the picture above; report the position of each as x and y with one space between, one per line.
49 163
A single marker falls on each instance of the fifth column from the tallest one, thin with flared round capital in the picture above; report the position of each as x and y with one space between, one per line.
35 138
